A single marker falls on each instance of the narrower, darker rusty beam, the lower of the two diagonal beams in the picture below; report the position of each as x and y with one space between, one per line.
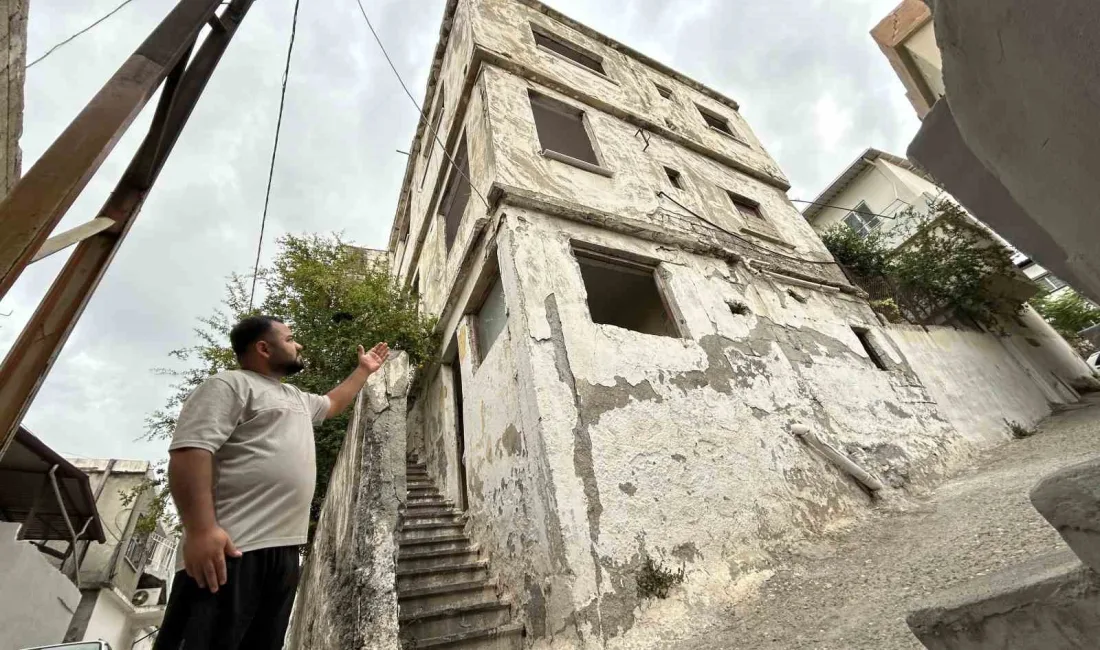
34 355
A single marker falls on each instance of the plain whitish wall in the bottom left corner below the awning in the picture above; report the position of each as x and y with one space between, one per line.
37 601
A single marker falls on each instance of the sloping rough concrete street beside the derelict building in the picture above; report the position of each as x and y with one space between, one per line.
853 590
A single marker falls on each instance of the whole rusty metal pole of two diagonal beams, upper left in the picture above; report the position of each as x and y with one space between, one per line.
56 181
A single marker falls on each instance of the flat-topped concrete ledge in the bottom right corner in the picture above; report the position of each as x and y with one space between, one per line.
1051 603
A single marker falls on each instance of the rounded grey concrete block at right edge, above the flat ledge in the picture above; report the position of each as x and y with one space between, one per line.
1070 500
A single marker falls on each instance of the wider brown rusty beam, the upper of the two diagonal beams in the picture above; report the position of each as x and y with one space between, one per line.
41 199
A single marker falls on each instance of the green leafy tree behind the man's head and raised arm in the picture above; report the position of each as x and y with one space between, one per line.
335 298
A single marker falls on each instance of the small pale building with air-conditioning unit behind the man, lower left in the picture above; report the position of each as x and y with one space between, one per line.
124 582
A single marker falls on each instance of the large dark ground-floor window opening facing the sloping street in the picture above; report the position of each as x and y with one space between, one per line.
625 294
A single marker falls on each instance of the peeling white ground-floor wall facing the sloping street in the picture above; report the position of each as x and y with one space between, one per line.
680 448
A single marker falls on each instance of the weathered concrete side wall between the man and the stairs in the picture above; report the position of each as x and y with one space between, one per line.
347 598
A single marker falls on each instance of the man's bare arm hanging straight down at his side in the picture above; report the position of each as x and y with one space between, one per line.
206 545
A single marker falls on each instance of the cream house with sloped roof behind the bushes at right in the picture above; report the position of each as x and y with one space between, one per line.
876 194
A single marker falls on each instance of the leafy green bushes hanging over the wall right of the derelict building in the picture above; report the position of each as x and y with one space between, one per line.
949 265
